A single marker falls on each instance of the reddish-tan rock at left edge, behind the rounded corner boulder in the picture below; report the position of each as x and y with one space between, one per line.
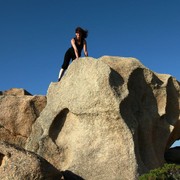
18 111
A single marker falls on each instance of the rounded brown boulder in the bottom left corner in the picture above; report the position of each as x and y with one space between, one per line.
16 164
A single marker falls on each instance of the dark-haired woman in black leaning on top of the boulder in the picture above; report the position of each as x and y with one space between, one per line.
77 44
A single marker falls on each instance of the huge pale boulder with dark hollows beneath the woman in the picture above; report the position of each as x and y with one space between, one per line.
109 118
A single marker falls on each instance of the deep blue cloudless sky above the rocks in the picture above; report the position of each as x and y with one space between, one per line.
34 35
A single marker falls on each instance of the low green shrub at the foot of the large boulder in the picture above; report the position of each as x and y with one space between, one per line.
167 172
